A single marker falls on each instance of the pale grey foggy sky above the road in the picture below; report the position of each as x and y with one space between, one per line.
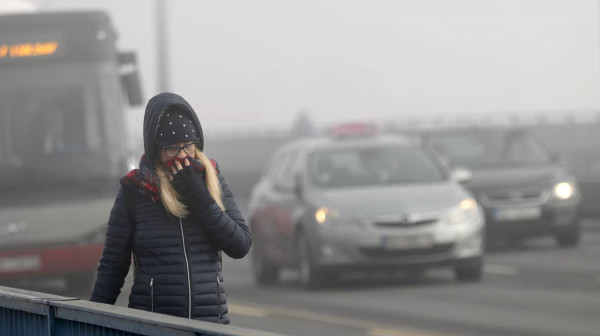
251 64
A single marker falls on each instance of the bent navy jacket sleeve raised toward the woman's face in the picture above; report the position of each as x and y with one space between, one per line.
227 228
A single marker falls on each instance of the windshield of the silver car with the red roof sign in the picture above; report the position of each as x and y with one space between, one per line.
372 166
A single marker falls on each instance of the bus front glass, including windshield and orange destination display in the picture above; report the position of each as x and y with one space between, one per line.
61 117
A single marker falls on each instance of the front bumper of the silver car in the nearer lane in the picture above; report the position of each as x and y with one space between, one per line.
449 245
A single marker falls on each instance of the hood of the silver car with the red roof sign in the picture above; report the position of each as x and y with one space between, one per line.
390 199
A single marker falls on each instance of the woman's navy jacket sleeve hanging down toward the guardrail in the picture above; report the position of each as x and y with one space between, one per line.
116 257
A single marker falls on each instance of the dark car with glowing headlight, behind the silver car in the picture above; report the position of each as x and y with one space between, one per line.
524 190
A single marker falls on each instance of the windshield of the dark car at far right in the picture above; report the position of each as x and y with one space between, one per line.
490 149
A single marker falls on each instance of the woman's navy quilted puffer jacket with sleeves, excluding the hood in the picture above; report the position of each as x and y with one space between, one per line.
177 261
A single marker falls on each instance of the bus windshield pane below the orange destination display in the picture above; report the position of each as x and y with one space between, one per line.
53 134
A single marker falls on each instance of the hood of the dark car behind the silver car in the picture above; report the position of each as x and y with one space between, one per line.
515 178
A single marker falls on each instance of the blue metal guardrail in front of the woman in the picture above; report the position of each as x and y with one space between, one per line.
30 313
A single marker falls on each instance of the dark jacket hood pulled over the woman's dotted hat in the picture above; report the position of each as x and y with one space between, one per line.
155 109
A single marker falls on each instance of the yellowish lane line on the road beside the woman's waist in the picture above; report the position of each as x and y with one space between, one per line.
373 329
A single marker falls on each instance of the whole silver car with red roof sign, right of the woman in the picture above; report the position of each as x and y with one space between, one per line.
367 203
